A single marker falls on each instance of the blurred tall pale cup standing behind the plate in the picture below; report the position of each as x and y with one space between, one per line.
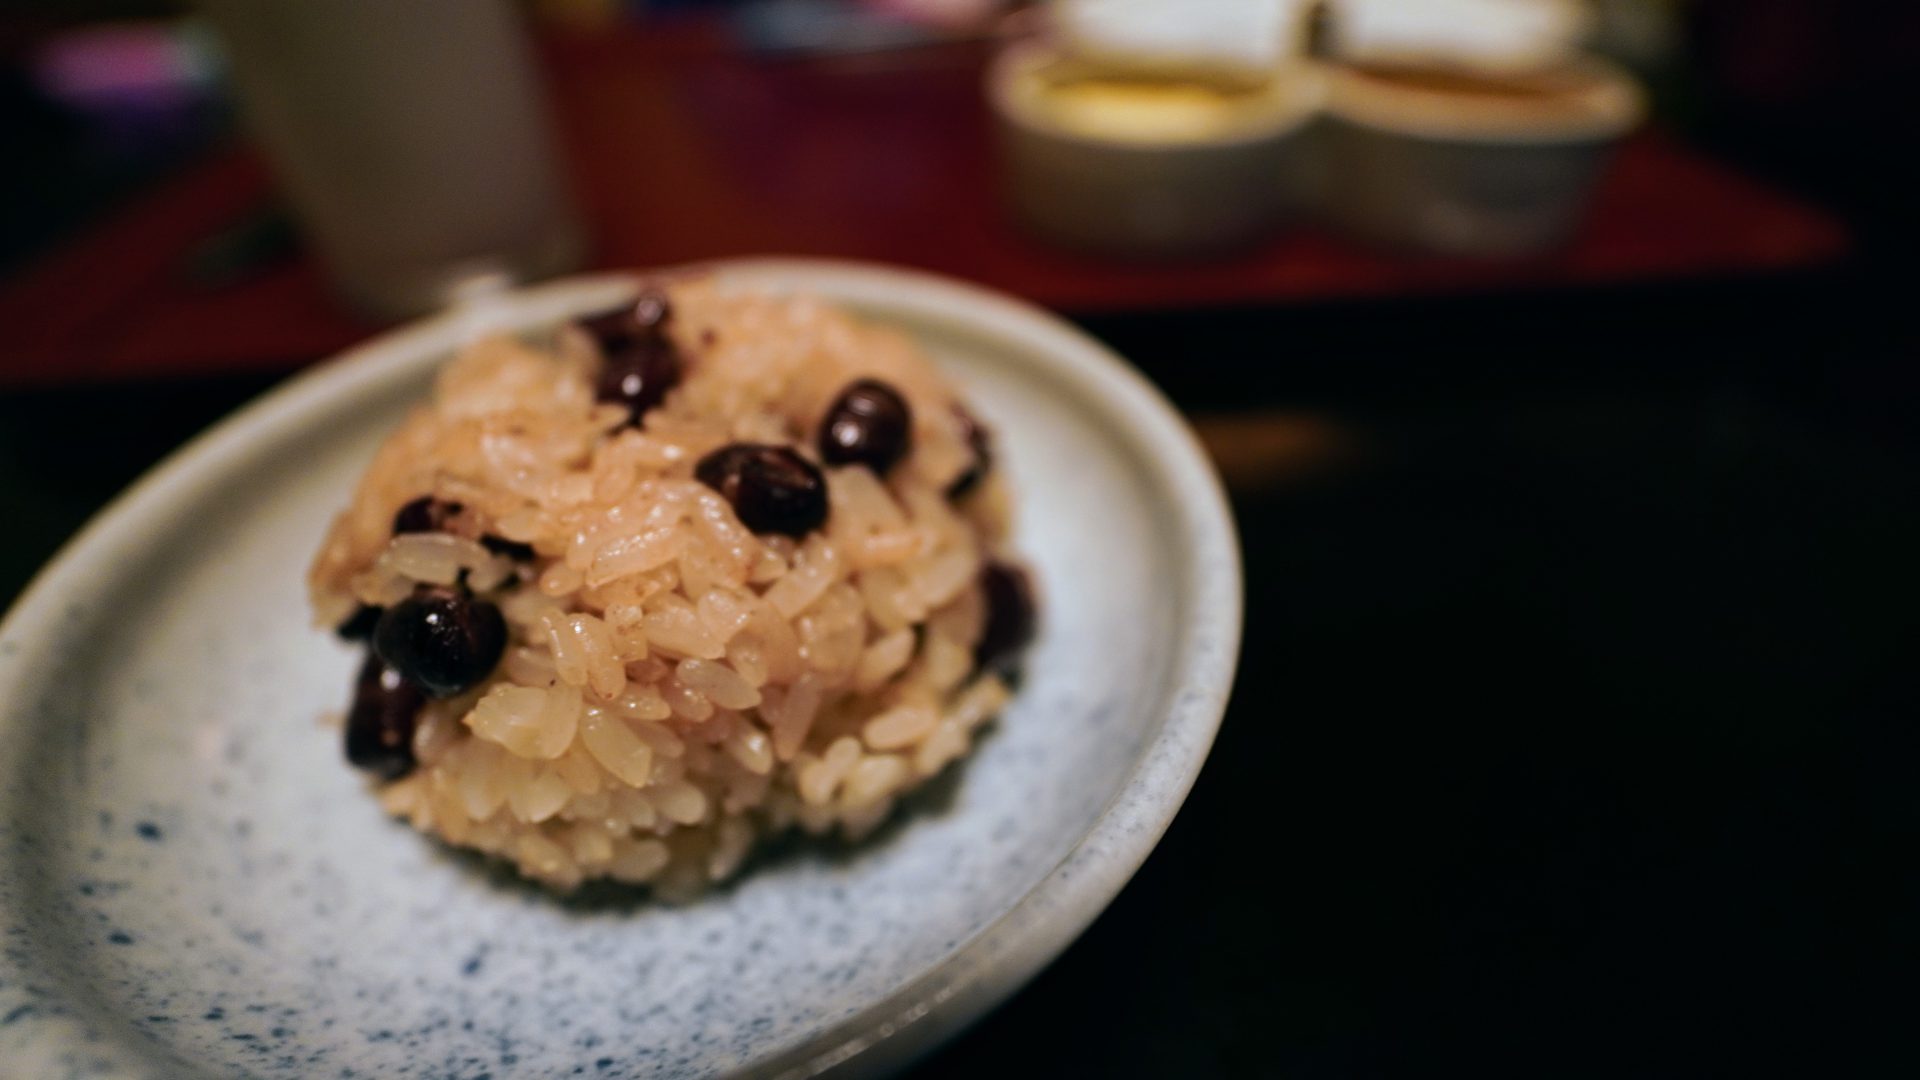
410 137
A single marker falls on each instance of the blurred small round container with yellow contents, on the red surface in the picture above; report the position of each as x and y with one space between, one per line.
1141 164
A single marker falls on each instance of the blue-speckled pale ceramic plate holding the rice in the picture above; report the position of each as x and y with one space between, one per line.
195 885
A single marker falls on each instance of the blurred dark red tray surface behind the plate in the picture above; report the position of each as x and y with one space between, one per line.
686 149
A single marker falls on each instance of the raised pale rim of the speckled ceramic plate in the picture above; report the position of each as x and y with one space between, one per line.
1061 904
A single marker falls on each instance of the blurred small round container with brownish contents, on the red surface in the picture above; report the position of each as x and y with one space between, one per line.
1472 164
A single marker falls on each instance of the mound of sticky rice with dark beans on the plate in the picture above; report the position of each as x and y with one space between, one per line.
671 685
